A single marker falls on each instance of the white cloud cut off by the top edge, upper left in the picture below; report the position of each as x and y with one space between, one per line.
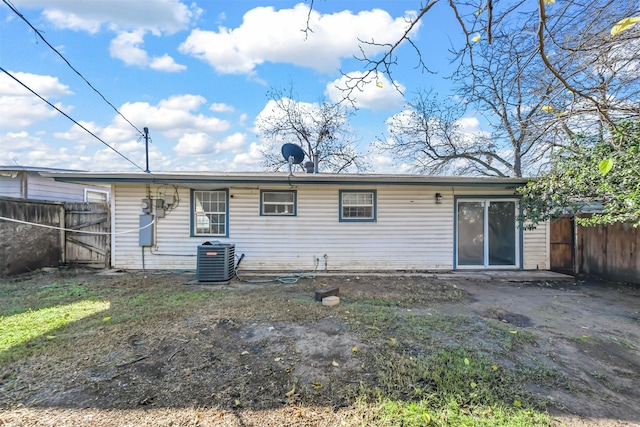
157 16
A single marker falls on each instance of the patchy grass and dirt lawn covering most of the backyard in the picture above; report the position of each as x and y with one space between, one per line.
180 346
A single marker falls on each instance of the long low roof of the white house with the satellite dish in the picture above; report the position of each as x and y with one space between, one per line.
191 178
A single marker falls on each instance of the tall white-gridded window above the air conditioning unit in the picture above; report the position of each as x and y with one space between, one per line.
210 213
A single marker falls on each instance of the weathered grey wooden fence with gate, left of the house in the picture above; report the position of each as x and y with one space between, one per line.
59 238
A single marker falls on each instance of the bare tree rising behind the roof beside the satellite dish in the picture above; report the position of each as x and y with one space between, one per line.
320 129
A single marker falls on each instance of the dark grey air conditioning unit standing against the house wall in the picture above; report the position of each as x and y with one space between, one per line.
215 262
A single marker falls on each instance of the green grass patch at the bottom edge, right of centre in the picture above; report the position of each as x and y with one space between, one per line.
451 386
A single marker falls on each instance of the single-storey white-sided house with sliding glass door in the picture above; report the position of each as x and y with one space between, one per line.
332 222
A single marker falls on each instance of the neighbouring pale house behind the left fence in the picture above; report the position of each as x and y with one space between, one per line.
26 182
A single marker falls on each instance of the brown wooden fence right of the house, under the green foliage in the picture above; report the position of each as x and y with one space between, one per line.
611 252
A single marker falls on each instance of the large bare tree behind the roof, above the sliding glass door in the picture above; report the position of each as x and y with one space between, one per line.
508 92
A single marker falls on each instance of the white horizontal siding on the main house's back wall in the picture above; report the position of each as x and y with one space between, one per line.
412 232
